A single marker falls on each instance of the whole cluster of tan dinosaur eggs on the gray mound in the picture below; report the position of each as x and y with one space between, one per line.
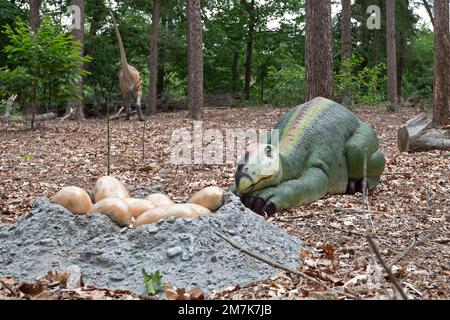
112 199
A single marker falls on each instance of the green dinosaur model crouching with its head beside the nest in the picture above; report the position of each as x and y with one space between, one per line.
322 149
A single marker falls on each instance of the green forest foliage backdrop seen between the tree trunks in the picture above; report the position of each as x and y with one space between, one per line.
260 42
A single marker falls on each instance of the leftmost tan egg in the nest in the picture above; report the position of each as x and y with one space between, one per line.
74 199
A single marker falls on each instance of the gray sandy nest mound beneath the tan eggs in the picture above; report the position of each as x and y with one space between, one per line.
187 252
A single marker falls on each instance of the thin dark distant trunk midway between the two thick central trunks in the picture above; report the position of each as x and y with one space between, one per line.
251 24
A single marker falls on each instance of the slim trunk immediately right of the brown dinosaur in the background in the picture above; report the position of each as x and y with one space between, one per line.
153 90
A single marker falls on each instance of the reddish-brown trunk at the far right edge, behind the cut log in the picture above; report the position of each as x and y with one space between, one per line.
441 114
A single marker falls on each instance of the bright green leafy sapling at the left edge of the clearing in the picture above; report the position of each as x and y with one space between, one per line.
44 67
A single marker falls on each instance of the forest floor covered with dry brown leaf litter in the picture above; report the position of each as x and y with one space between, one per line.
410 205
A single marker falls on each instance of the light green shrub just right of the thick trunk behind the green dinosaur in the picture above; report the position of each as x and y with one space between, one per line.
364 85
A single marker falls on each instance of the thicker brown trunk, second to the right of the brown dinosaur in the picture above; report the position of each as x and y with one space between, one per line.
195 60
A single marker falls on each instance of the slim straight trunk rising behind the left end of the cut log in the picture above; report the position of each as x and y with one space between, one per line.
391 56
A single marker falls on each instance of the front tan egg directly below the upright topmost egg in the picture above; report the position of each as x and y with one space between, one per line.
116 209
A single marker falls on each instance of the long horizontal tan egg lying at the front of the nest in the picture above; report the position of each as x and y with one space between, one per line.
166 212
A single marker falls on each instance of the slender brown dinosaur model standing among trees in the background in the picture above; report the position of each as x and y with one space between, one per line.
129 78
